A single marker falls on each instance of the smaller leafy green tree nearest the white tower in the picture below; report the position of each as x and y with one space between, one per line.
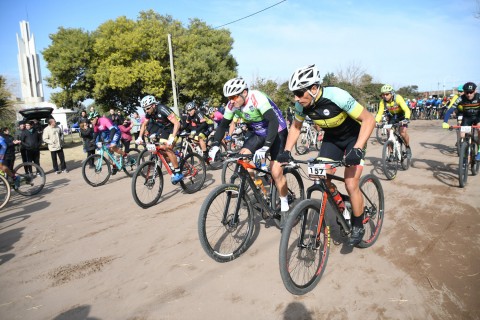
69 60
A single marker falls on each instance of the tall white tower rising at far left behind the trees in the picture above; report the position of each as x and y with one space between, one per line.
29 66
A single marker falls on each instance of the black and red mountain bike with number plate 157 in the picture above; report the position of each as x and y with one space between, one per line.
305 242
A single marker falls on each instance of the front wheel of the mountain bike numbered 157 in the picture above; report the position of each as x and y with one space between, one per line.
304 248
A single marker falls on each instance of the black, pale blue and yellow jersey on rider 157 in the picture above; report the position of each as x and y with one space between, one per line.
335 111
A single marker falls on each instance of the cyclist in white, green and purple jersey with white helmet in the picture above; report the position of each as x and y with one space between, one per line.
267 129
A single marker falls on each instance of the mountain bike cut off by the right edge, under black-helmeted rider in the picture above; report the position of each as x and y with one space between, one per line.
468 151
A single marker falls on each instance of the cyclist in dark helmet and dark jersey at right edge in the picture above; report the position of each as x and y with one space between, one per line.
470 101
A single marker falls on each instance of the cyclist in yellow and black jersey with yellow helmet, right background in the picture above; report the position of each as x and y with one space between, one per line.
396 111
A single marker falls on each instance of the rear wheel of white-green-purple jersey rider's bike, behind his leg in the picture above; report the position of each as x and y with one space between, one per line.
295 194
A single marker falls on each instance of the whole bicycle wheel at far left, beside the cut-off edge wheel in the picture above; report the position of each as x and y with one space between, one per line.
32 178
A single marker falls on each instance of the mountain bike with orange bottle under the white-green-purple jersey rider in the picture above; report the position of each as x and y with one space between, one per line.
226 218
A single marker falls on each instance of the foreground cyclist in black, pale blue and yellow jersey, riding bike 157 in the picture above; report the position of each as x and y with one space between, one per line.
347 126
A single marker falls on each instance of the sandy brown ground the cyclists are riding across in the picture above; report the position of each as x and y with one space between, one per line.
77 252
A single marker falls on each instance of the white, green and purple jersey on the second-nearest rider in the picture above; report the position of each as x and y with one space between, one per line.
256 104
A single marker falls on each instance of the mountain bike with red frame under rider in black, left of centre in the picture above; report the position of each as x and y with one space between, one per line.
147 181
